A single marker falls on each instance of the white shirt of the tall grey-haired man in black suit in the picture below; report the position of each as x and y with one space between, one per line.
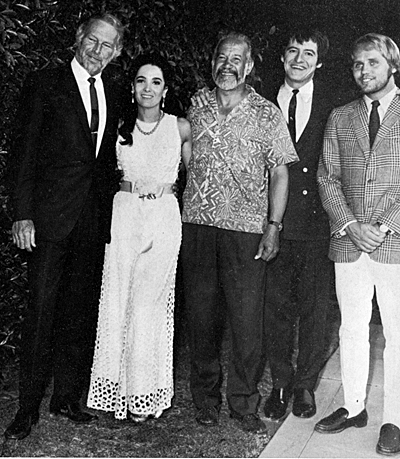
81 77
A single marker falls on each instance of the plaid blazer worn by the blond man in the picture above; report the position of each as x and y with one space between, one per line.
360 183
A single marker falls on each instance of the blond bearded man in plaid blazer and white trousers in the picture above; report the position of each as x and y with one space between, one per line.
359 183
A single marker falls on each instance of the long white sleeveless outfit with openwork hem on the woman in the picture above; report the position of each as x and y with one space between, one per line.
132 366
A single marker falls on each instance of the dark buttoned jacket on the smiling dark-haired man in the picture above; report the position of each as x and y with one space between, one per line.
305 219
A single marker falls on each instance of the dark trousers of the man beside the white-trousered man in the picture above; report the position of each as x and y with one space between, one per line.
298 291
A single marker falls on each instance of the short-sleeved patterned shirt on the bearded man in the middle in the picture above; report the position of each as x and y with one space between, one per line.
228 172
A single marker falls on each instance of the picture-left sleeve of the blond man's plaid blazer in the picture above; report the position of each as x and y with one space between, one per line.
329 179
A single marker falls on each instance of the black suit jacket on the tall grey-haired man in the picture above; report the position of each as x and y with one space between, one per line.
53 161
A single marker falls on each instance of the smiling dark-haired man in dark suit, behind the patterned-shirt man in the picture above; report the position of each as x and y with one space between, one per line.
299 278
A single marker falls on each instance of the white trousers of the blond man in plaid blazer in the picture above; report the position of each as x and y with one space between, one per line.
355 283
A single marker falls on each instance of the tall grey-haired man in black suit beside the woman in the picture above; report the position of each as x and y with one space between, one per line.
62 172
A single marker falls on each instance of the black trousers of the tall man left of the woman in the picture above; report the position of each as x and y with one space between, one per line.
60 324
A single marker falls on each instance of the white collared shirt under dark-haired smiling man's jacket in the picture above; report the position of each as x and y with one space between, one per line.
303 108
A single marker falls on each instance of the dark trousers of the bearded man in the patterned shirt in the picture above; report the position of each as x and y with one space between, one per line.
221 278
